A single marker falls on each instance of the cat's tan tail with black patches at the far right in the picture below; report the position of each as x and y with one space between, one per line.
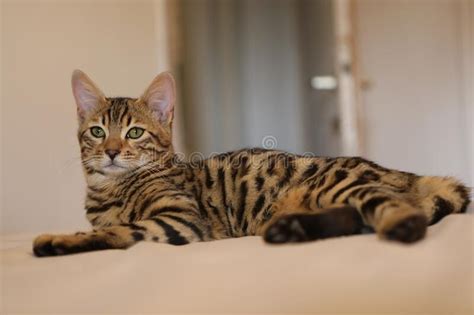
440 196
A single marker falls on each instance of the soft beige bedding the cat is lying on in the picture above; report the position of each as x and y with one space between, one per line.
357 274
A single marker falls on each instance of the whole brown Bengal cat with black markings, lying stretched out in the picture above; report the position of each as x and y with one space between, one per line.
137 190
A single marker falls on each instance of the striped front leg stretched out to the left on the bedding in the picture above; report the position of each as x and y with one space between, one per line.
167 228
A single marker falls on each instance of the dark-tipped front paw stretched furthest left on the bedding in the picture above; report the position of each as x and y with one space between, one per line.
53 245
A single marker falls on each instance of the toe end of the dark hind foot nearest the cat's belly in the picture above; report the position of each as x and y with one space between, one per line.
285 230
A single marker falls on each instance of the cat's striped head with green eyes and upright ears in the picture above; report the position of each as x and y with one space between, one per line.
118 134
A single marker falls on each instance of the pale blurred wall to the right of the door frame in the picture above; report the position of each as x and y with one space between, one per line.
411 52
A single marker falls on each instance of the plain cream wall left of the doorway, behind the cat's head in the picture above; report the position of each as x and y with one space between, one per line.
117 43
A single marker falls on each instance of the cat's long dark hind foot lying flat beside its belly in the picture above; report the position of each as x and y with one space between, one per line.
310 226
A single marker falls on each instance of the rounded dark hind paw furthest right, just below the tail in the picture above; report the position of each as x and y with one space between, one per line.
408 230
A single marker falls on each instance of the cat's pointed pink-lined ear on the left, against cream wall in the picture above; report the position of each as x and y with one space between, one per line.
87 94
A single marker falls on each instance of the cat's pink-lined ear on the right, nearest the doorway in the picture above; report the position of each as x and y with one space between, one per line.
160 97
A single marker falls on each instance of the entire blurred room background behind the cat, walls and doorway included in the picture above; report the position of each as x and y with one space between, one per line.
390 80
